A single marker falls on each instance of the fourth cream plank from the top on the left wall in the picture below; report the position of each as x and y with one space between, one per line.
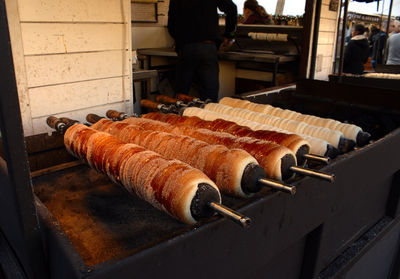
74 96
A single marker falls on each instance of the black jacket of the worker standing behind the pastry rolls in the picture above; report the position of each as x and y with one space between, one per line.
192 21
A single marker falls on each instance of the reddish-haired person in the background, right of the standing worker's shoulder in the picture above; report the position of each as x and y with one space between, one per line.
253 13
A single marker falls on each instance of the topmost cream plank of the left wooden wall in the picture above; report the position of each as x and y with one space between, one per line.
71 10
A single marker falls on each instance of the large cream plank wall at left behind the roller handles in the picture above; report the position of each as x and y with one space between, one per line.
71 57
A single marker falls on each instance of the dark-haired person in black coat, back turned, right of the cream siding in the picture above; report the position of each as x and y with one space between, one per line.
356 54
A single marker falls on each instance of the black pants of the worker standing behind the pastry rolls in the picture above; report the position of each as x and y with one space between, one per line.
198 61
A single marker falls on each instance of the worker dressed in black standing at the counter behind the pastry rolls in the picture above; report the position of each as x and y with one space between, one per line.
194 26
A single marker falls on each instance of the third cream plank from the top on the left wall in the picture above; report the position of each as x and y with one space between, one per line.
66 68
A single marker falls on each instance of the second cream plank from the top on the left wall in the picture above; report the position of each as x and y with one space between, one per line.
52 38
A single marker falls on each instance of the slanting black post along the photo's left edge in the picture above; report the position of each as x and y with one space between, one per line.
16 156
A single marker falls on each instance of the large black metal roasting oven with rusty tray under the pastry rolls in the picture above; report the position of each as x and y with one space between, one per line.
94 229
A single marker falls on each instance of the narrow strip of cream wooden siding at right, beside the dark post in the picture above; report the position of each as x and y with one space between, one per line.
326 41
